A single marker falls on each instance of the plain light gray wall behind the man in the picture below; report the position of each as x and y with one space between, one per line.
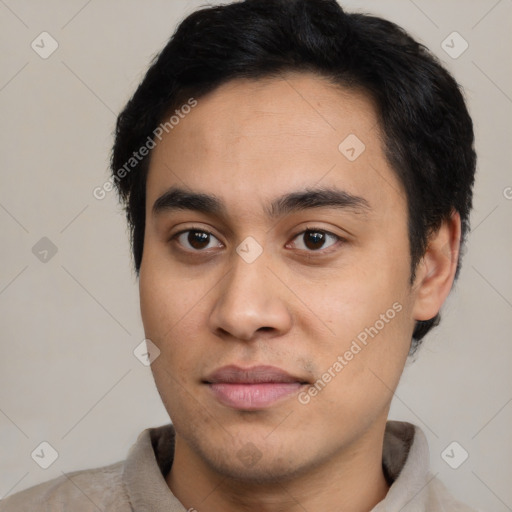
70 325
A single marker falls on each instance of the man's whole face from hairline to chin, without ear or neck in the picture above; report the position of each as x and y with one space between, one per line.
316 287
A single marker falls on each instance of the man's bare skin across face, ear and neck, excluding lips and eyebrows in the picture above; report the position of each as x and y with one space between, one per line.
294 307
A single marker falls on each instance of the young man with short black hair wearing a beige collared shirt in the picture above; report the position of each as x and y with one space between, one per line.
298 182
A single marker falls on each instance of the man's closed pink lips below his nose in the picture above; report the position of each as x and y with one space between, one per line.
252 388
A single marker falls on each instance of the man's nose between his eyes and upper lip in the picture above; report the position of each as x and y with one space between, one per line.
250 302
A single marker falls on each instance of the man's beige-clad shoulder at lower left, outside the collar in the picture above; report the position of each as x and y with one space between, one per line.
81 491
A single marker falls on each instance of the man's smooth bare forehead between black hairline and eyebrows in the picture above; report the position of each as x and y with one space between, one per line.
253 139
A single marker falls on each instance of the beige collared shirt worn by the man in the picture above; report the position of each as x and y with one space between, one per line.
138 484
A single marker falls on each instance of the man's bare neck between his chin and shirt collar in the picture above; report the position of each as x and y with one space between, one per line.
351 481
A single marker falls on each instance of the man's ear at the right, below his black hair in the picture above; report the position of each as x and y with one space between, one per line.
436 270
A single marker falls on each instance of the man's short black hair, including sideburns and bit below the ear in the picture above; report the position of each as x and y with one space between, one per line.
427 130
